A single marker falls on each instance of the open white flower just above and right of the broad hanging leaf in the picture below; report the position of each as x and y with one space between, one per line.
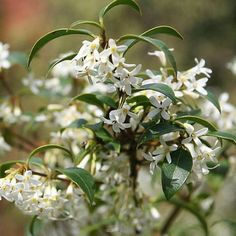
193 136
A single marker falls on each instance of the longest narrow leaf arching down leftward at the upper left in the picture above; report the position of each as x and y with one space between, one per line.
53 35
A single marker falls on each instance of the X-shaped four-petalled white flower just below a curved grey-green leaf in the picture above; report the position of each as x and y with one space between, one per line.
160 107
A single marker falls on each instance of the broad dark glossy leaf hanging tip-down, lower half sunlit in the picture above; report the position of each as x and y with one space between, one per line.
176 173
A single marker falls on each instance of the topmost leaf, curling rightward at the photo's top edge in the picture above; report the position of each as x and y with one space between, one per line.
115 3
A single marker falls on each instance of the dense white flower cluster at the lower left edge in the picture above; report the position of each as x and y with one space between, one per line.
36 195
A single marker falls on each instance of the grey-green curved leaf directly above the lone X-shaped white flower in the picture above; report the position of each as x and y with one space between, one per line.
159 87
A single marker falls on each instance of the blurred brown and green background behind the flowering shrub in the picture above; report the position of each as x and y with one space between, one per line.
208 27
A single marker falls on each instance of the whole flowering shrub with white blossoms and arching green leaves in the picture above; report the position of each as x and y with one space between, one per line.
110 123
